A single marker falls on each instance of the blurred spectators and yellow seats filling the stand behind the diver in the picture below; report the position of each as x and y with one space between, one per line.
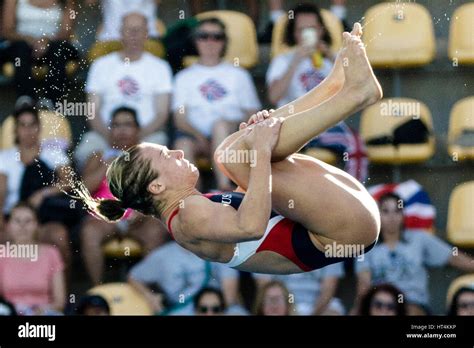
82 81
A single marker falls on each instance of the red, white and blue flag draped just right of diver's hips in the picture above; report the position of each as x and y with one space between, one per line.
418 210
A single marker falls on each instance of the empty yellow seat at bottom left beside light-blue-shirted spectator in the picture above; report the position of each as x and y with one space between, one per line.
123 299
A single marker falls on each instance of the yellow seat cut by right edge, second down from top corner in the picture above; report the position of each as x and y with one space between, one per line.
462 118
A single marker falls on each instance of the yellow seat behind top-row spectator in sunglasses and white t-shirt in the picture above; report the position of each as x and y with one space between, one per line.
242 38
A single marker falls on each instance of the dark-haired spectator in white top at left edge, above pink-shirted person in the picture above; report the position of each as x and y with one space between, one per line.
25 170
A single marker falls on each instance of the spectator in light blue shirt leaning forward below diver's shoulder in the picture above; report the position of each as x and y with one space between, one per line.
181 274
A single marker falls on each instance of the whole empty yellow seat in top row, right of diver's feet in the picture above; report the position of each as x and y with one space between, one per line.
399 34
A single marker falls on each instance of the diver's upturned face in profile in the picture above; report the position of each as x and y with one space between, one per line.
174 171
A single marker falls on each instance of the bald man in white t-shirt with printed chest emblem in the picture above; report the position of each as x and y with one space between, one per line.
132 78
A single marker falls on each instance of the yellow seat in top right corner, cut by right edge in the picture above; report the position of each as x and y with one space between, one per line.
461 39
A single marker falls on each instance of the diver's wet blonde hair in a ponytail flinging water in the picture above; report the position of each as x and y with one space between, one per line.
128 178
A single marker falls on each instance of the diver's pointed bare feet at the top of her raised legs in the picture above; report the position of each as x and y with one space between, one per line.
360 80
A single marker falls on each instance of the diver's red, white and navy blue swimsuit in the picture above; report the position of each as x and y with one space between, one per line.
282 235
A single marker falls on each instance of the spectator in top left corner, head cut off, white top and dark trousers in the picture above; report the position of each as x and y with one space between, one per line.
39 31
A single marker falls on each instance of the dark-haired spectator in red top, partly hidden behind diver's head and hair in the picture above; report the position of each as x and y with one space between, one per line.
124 133
